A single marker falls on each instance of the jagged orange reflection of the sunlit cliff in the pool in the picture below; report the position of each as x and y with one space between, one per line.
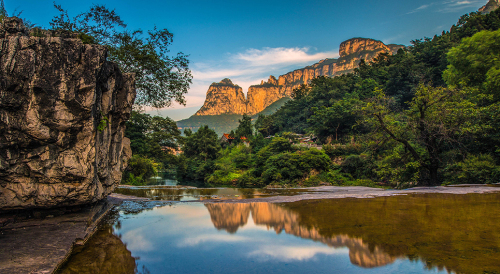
230 217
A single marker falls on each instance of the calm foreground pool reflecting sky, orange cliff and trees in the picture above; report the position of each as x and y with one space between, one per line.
436 233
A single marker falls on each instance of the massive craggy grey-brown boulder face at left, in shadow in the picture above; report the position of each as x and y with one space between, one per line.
54 95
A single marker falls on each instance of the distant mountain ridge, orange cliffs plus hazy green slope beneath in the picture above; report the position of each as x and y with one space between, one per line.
226 103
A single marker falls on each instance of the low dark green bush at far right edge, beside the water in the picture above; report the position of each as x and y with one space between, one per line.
480 169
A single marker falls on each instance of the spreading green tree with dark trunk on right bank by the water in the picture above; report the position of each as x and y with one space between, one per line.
436 118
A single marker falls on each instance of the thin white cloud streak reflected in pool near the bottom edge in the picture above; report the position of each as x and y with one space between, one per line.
294 253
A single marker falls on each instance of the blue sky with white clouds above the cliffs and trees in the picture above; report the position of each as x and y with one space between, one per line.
249 40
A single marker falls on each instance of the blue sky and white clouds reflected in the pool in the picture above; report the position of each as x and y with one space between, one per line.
183 239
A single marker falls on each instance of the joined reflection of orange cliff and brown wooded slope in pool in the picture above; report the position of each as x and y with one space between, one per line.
460 233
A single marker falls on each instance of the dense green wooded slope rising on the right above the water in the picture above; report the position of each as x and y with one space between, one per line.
426 115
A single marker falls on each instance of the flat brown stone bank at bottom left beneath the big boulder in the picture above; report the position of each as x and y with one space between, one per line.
39 242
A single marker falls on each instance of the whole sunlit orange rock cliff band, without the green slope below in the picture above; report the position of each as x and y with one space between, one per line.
226 98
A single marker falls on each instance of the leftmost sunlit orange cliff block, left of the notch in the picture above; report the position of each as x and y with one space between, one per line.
224 97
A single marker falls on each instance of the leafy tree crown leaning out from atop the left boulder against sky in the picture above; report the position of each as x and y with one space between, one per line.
160 78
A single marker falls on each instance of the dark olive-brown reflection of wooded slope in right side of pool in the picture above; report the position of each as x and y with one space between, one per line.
459 233
